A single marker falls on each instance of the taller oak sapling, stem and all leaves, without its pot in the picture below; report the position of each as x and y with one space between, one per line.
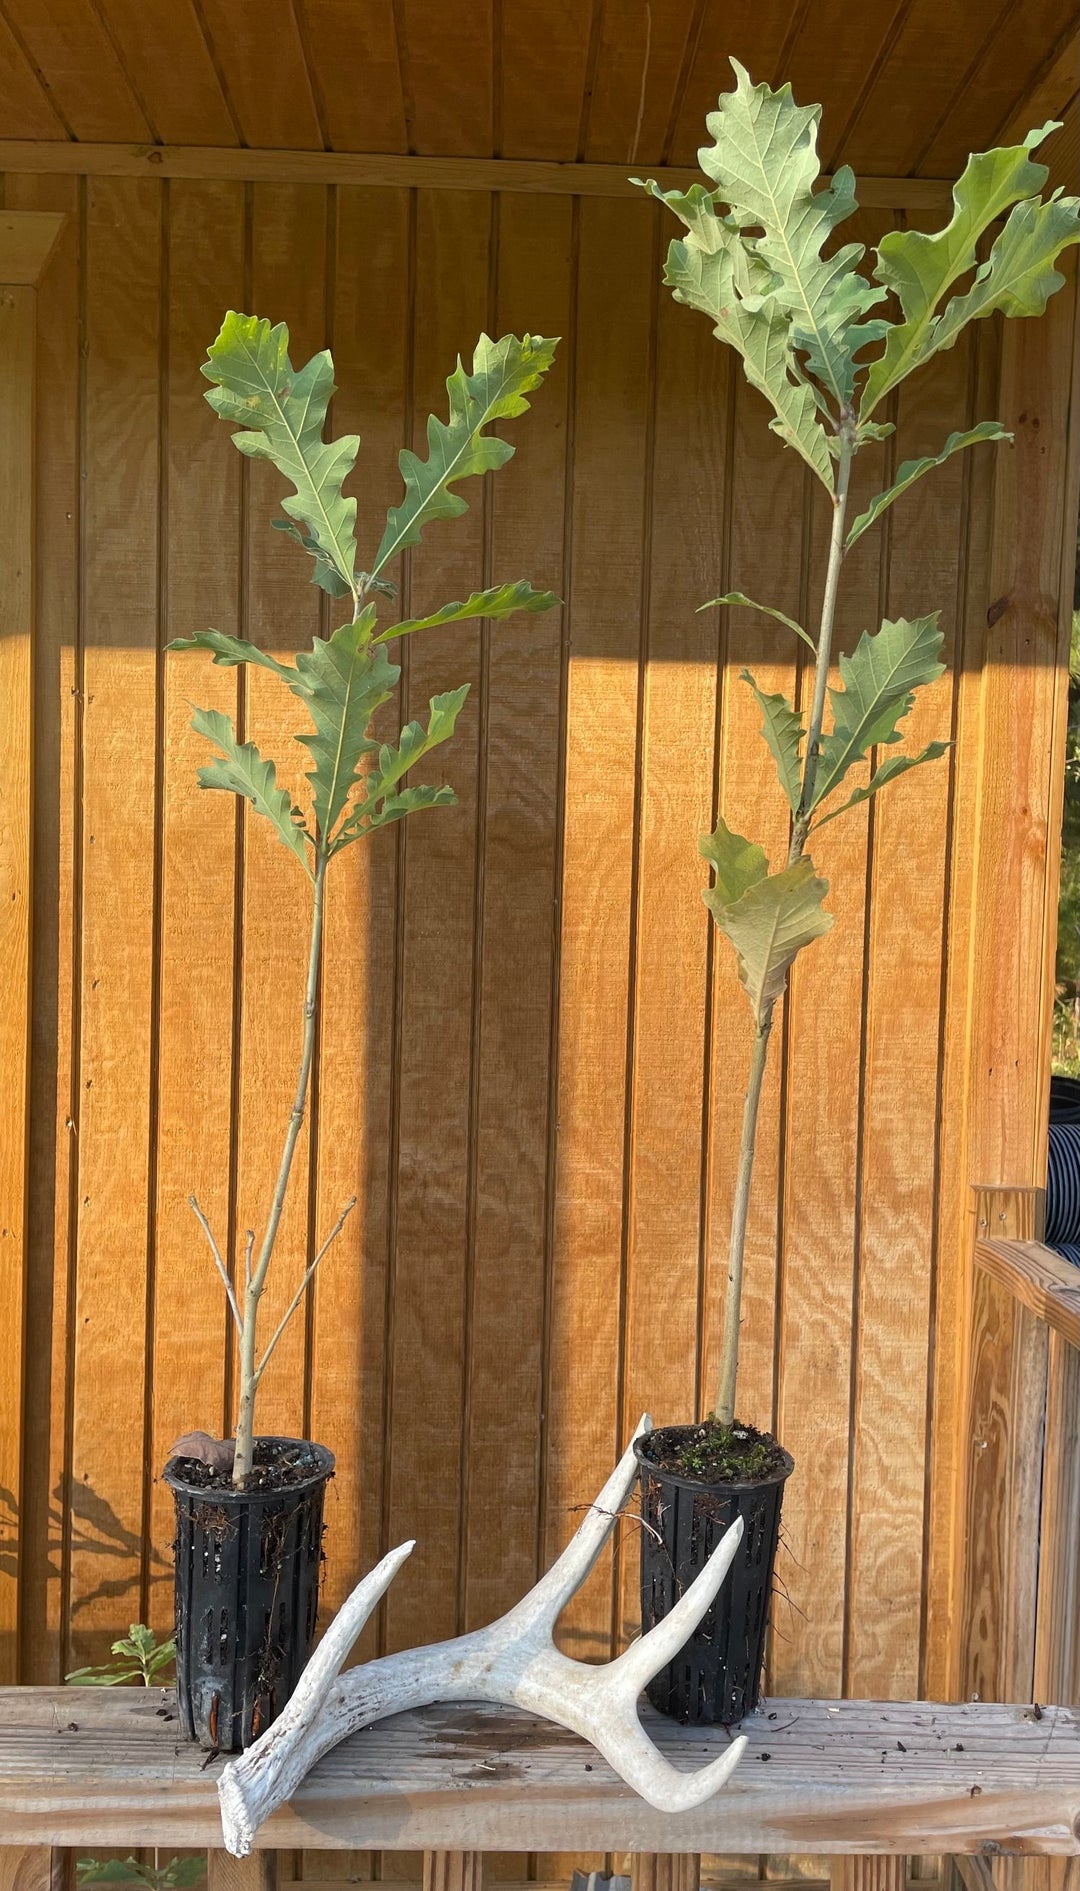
754 260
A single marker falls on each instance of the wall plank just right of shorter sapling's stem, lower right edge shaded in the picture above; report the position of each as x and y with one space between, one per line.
370 339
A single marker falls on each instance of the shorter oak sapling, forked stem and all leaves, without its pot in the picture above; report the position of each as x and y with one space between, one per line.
357 782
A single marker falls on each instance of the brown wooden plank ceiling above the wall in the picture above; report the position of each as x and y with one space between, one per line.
907 86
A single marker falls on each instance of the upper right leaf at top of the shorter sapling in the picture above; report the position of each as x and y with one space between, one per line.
495 390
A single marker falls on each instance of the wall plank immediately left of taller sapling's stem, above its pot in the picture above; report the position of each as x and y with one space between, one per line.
689 466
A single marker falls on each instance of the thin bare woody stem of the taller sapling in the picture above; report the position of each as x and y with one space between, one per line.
725 1408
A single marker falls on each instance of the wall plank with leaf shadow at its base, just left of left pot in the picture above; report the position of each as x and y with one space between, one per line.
118 897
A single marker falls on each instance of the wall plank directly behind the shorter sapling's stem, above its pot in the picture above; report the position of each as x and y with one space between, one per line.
283 614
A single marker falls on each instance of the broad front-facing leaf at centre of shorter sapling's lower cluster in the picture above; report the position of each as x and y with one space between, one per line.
343 682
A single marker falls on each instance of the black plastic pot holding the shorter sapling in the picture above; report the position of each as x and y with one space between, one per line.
247 1593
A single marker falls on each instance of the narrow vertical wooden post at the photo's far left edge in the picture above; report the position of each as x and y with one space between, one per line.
27 241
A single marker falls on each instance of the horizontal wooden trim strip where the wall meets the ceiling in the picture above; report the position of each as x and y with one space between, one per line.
375 169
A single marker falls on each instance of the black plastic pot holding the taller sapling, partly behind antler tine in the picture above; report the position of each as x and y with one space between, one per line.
716 1678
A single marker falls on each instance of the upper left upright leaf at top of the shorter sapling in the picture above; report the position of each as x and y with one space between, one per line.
283 413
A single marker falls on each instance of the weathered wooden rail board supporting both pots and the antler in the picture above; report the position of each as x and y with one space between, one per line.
867 1784
